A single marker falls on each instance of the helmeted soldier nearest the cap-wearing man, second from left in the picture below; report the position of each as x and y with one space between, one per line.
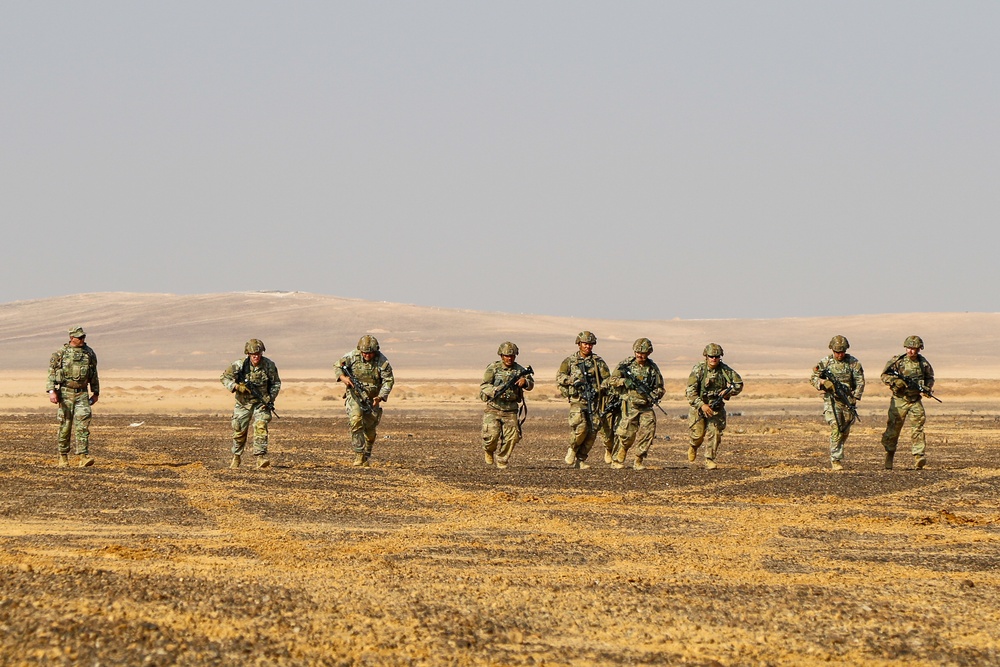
255 383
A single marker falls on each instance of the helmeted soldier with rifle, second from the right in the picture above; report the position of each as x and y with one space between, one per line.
842 380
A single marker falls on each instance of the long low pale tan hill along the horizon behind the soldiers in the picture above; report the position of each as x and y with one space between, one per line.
308 332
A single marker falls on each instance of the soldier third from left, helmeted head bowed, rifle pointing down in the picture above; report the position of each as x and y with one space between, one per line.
369 380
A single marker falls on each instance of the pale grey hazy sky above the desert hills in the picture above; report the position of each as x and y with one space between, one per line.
627 160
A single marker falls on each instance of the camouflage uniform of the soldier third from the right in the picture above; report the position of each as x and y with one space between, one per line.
701 382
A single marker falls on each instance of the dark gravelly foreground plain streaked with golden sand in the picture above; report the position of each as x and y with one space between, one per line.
160 555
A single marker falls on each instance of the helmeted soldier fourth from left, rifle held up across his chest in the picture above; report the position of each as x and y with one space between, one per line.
503 387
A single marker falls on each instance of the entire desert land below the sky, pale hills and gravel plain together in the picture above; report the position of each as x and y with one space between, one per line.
161 555
